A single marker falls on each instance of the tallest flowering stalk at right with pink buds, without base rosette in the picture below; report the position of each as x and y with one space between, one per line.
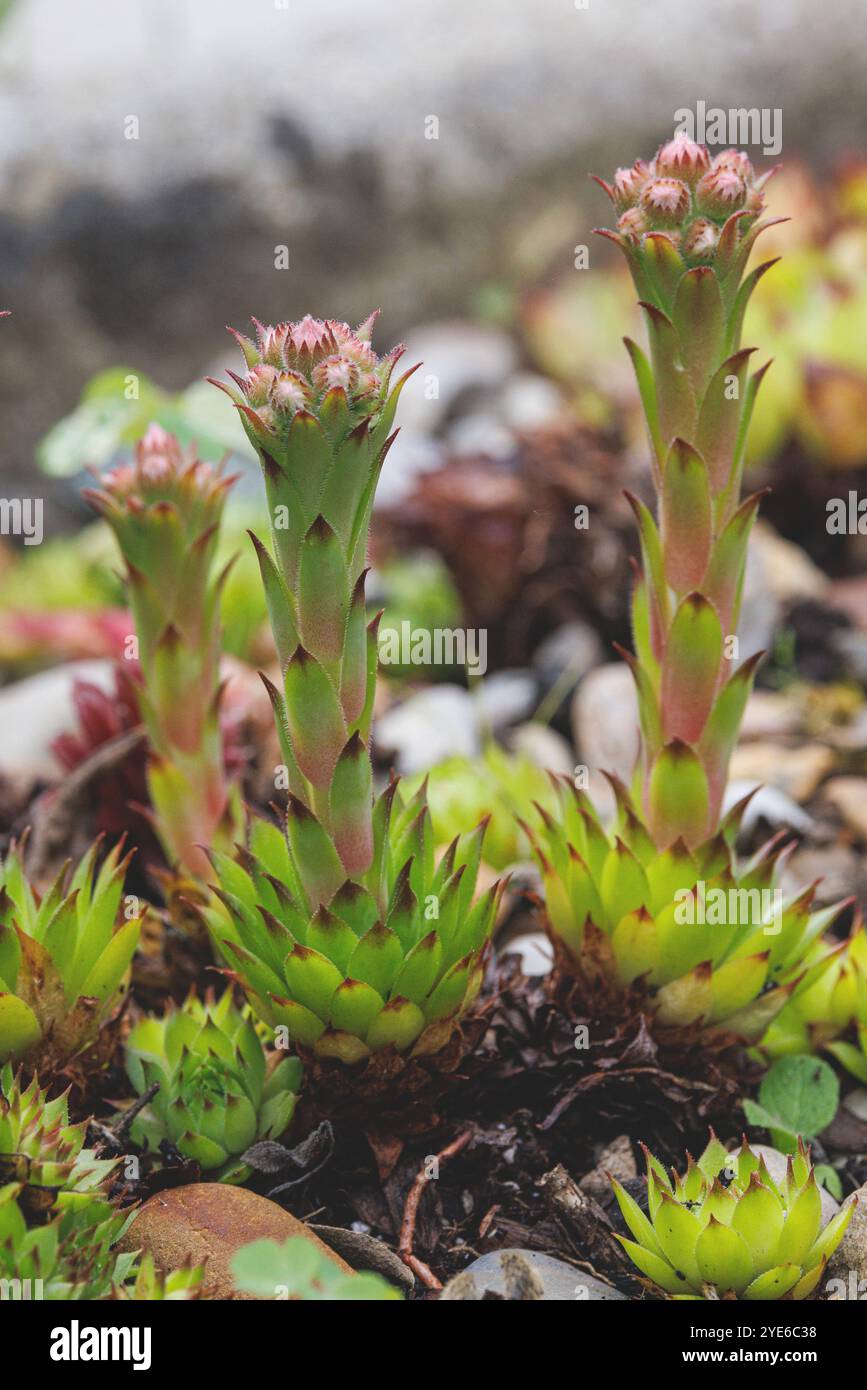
687 227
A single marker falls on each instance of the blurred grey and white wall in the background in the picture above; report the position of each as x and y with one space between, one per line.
154 155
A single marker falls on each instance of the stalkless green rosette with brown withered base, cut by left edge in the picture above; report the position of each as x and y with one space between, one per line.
65 958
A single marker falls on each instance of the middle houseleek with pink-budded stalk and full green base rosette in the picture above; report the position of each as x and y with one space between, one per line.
344 931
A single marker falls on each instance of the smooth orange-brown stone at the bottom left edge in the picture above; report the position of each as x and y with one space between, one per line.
213 1221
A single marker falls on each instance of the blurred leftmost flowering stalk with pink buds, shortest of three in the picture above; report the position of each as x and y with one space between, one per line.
166 511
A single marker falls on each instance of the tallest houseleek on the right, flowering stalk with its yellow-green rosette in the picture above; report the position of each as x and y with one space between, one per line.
615 900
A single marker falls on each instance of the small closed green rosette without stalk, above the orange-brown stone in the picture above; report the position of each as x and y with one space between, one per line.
219 1093
